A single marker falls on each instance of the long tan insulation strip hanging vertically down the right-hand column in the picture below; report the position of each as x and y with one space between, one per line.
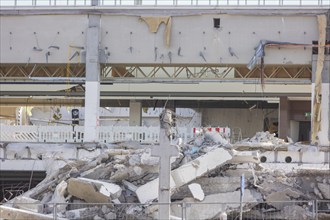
316 119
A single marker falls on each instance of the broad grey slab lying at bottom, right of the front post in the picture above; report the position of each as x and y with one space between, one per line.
214 204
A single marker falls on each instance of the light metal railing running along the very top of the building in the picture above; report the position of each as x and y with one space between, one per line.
112 3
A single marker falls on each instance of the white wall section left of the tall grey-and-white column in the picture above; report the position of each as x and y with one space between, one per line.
17 37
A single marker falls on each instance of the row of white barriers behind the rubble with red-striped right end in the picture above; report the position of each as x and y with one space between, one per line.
107 134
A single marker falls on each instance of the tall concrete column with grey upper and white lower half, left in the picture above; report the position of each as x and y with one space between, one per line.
92 85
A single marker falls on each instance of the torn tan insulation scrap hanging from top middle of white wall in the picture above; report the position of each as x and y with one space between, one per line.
154 23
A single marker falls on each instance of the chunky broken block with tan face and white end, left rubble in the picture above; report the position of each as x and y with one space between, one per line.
93 191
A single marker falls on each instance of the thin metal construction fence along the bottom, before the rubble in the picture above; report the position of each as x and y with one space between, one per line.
314 209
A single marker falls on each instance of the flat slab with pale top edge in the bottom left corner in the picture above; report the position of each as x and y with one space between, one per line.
14 213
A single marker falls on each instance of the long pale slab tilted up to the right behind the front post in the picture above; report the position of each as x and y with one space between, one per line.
186 173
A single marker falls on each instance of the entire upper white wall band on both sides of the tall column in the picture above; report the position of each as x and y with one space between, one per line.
193 34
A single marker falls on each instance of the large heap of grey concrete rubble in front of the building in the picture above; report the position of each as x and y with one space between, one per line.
122 183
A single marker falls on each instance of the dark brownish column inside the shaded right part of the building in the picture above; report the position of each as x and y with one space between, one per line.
283 117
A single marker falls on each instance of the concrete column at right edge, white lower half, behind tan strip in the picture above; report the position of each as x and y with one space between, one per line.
323 136
